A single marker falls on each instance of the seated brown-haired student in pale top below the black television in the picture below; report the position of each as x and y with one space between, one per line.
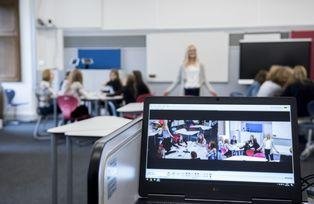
276 79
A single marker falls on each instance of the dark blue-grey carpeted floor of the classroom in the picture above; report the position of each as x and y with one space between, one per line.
25 168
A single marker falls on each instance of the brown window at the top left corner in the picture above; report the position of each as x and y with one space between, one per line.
9 41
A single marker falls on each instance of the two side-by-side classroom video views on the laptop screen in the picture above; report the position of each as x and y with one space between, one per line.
259 141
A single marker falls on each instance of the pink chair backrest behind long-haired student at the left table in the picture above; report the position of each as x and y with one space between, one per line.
67 105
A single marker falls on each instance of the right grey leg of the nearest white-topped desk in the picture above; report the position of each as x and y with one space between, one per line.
69 169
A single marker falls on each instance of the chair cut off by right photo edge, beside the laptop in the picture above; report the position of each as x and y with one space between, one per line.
308 127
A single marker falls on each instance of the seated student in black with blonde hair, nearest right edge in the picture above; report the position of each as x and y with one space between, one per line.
301 88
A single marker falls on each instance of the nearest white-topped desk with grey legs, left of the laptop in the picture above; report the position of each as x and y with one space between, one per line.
104 125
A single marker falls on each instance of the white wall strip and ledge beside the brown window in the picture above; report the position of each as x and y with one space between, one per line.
24 89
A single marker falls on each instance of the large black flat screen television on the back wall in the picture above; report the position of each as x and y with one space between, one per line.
257 55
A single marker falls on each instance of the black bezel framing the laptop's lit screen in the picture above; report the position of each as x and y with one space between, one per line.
193 190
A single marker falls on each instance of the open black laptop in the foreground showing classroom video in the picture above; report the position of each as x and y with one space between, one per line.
219 149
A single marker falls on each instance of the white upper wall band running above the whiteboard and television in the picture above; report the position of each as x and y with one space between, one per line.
175 14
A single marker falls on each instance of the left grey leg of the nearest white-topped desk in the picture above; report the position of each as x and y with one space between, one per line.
54 172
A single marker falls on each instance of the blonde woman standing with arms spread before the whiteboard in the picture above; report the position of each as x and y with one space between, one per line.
191 75
